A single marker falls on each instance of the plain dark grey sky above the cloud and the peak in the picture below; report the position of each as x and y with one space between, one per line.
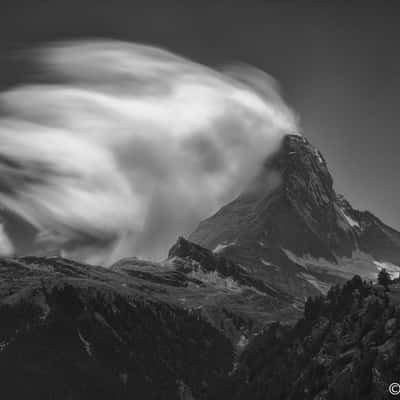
337 63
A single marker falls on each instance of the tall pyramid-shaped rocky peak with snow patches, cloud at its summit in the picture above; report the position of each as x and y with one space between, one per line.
291 229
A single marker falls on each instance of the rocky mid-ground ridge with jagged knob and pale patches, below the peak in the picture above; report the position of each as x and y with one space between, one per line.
222 292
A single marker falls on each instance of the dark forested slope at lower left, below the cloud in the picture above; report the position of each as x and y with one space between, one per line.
73 331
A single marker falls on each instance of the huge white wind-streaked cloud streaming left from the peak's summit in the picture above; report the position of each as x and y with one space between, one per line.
128 146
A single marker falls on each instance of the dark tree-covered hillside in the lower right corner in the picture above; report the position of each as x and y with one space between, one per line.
347 346
